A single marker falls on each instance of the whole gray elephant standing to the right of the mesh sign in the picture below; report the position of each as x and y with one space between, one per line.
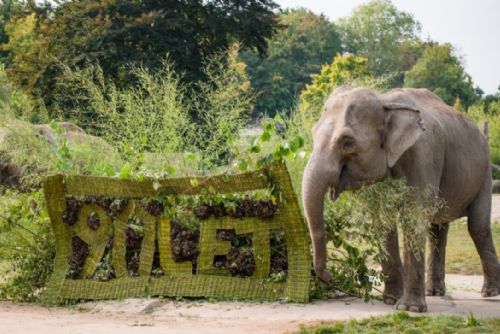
363 137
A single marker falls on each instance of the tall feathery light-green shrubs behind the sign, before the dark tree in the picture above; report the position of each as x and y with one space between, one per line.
160 114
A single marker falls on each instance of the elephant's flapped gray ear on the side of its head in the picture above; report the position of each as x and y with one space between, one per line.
403 126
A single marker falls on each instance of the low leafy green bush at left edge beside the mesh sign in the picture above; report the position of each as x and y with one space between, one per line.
26 244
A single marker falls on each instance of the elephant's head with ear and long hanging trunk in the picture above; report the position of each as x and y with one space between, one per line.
359 137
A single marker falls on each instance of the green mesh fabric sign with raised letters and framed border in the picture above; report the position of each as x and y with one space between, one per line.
178 279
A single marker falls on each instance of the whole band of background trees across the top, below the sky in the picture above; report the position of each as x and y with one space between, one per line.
283 50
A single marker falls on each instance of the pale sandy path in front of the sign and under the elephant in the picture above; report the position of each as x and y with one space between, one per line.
155 316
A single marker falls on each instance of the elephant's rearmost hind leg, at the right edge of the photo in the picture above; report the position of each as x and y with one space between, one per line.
479 226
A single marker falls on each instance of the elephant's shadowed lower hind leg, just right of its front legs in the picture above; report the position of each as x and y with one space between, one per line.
438 236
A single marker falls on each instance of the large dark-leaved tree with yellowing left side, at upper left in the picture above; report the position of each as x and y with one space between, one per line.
116 33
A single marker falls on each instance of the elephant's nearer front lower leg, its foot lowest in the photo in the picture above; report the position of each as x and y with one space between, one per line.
413 299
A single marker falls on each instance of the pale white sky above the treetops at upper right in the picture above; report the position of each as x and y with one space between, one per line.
472 27
